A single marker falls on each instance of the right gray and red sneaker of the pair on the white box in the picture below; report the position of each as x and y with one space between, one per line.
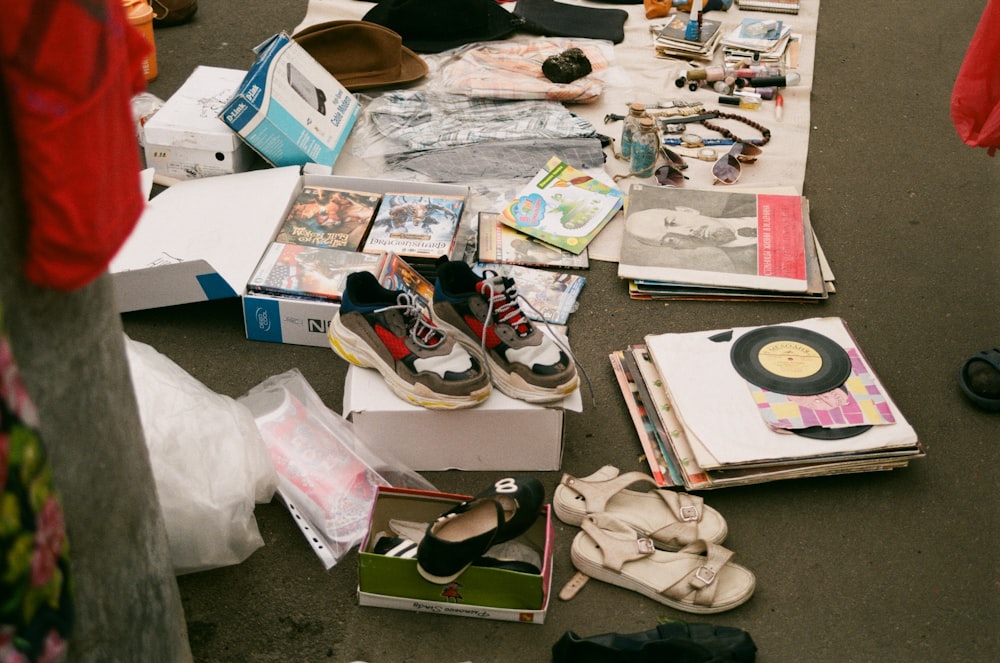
483 314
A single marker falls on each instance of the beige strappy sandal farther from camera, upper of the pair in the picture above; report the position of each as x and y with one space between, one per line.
672 519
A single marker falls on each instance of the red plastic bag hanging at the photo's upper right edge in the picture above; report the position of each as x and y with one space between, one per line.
975 99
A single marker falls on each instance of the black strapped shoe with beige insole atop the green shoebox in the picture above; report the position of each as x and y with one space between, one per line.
464 533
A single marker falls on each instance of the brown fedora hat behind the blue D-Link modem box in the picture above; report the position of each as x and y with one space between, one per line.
360 54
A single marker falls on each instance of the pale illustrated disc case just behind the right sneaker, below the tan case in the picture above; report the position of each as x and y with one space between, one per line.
550 296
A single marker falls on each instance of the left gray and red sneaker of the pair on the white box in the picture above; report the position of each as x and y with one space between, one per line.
386 330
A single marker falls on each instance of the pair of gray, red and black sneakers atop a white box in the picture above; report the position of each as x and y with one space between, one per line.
474 335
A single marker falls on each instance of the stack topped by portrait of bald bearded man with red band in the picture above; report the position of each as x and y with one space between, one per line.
729 245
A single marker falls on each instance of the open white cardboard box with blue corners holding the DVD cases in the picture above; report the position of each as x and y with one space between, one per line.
202 239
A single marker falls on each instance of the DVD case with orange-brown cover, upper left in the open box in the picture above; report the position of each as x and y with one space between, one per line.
329 217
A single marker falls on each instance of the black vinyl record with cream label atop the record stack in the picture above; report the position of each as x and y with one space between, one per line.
790 360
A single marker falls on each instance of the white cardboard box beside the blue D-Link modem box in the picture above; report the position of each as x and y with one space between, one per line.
185 139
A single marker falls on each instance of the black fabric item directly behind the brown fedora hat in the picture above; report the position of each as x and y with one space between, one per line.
432 26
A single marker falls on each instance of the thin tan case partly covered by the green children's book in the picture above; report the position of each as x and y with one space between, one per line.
502 244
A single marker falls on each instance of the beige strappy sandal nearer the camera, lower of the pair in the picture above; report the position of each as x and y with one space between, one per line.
699 578
